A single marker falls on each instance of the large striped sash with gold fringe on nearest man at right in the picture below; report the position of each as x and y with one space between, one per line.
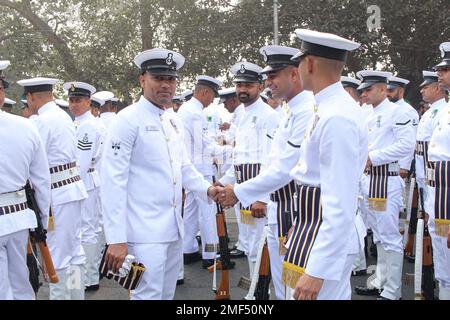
304 235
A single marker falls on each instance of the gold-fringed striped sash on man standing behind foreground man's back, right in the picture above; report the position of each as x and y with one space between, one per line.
379 177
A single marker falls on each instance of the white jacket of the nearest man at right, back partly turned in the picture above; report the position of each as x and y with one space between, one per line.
333 156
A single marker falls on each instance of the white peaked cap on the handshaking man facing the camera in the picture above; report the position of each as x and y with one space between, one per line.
160 61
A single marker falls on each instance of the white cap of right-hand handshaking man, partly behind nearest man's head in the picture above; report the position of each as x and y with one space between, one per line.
278 57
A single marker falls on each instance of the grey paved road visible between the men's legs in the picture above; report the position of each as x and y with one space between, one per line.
198 282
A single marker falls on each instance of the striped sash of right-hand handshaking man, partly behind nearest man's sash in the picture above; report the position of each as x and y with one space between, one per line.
285 198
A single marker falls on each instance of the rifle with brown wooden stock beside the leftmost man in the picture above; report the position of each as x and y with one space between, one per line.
39 236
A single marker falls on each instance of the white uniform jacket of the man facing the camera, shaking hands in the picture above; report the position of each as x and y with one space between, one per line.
144 167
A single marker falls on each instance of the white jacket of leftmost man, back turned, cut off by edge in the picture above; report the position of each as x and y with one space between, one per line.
23 158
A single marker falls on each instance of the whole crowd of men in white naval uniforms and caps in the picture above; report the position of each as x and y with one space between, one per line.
314 165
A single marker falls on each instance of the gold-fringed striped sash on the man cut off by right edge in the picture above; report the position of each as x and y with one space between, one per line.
442 197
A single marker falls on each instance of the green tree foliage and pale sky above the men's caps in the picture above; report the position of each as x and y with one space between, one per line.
96 40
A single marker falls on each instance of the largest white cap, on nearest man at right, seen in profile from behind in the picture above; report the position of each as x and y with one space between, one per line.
325 45
